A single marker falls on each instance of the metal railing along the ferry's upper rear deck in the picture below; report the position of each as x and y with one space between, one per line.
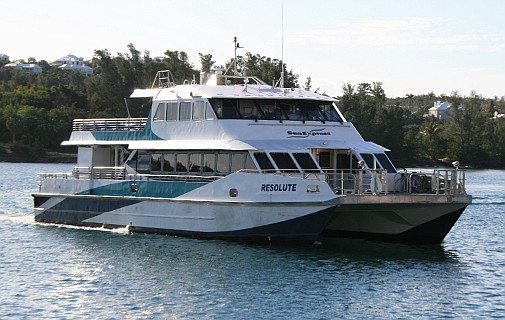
117 124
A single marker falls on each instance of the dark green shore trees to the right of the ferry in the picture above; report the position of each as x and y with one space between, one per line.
470 134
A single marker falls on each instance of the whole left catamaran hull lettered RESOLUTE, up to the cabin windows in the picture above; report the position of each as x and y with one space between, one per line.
192 213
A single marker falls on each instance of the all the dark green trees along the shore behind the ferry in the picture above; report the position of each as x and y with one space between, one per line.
36 110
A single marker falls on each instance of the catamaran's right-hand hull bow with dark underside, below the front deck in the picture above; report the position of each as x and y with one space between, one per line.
397 218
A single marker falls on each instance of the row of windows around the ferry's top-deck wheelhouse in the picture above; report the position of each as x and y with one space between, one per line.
258 109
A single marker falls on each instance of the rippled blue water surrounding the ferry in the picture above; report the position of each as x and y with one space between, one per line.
57 272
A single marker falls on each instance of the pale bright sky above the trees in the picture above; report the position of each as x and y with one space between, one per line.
410 46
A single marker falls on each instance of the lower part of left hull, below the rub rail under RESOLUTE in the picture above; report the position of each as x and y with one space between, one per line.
259 222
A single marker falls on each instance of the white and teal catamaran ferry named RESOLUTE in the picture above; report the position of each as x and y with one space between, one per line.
232 157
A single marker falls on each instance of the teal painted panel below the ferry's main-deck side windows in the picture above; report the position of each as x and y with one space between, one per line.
152 189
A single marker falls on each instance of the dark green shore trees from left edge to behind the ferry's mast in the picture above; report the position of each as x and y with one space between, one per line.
36 110
